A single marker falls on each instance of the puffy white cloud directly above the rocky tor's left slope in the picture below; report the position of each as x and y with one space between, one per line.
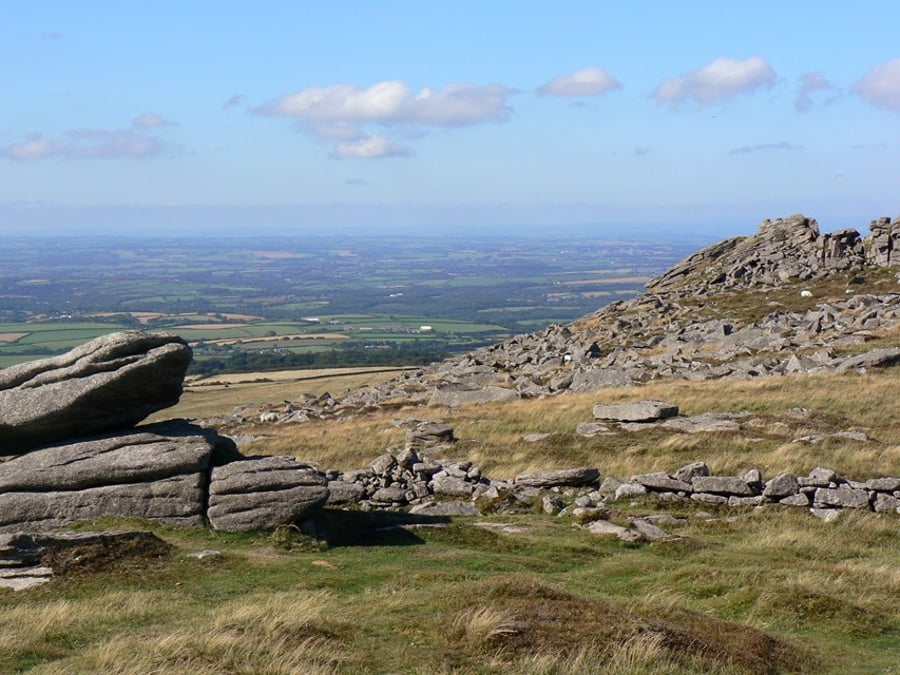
717 81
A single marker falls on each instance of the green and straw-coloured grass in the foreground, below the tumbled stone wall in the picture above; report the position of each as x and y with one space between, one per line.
747 591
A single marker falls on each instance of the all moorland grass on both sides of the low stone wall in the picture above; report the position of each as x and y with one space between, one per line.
742 591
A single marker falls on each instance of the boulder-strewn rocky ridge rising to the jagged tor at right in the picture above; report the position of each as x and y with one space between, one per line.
694 322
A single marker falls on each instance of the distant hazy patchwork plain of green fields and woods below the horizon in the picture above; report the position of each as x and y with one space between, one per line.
312 301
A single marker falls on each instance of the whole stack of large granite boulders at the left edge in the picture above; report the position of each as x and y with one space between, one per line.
69 422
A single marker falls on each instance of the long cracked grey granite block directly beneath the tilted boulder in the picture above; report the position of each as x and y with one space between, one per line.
158 472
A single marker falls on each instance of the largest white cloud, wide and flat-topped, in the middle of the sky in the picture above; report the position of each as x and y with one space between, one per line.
342 114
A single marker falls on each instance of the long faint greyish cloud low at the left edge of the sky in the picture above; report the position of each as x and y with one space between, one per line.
86 144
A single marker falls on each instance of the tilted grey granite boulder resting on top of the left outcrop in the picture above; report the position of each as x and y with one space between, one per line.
110 383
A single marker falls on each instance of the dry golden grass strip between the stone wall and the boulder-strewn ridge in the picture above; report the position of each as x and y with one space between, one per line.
491 435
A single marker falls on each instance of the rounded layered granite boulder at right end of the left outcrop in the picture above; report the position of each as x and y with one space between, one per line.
263 493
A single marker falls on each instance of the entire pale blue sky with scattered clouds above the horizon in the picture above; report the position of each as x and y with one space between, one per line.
491 114
